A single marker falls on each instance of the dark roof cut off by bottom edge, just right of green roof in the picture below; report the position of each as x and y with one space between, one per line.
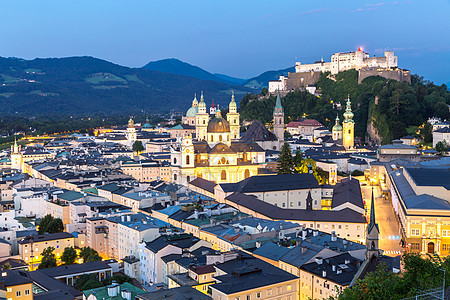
179 293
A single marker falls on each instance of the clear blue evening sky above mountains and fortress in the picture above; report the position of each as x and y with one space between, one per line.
237 38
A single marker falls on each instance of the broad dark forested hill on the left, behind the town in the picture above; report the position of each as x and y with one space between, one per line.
87 85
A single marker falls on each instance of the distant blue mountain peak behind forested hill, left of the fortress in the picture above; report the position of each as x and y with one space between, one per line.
176 66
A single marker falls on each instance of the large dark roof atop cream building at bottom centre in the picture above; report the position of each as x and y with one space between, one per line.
247 273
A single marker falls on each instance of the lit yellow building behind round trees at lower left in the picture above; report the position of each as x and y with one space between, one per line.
31 247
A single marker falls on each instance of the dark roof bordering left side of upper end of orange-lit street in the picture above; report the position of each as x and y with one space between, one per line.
348 190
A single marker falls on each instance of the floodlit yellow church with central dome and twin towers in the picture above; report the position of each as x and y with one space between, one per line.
215 154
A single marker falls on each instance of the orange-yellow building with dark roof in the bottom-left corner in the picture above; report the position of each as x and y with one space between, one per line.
15 285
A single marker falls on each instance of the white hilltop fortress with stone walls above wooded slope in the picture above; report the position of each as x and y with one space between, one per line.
307 75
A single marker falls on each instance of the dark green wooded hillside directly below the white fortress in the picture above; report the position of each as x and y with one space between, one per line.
400 105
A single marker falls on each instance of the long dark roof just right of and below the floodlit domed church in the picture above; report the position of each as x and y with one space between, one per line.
277 182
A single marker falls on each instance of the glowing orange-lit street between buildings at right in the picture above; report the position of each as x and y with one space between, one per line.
387 222
